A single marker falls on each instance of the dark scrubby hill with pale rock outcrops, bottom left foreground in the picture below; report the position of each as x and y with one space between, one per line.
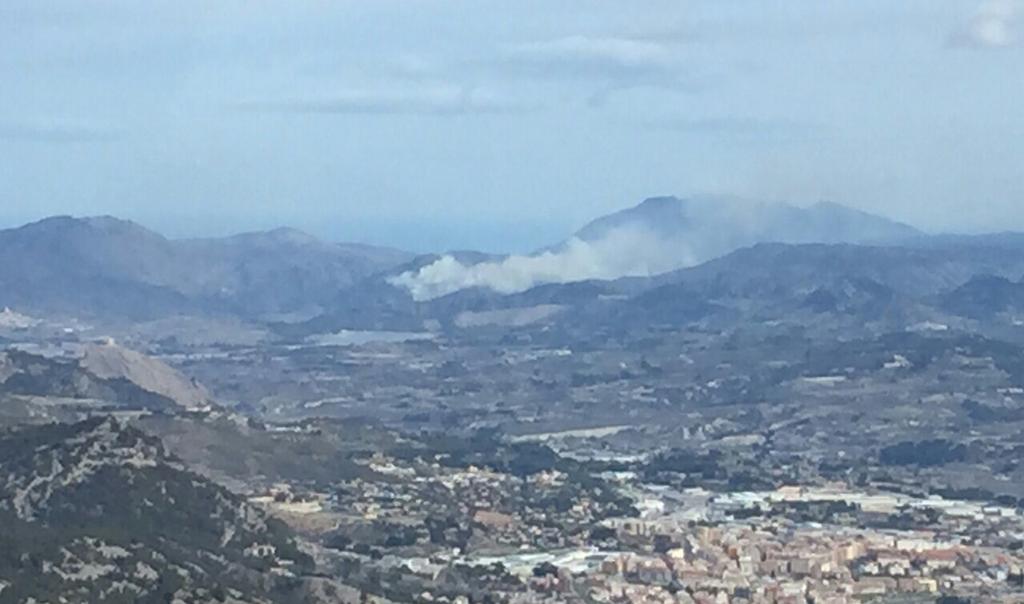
99 512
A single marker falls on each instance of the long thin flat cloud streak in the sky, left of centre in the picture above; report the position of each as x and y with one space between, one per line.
440 101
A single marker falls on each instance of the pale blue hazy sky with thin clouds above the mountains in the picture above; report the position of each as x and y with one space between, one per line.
505 125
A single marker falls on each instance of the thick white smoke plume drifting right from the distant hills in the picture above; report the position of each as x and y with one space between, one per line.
623 252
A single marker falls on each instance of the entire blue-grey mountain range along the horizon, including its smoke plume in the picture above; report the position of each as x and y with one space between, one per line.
667 258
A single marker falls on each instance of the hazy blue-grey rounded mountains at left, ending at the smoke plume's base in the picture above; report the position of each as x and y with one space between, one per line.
117 269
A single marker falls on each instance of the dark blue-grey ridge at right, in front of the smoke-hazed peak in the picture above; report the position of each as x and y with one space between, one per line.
901 285
